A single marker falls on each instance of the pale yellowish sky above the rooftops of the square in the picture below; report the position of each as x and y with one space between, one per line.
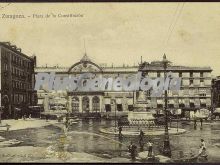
118 33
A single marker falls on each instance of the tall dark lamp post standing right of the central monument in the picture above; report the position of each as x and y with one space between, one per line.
166 147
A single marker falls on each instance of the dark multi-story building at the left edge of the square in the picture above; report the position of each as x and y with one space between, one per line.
17 80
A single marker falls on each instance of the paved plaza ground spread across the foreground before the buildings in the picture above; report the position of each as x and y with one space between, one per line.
90 145
